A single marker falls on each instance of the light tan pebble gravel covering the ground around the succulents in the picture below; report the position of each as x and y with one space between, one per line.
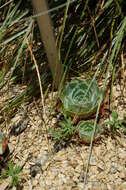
65 170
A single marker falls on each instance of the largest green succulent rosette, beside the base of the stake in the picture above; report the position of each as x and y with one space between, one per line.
80 97
